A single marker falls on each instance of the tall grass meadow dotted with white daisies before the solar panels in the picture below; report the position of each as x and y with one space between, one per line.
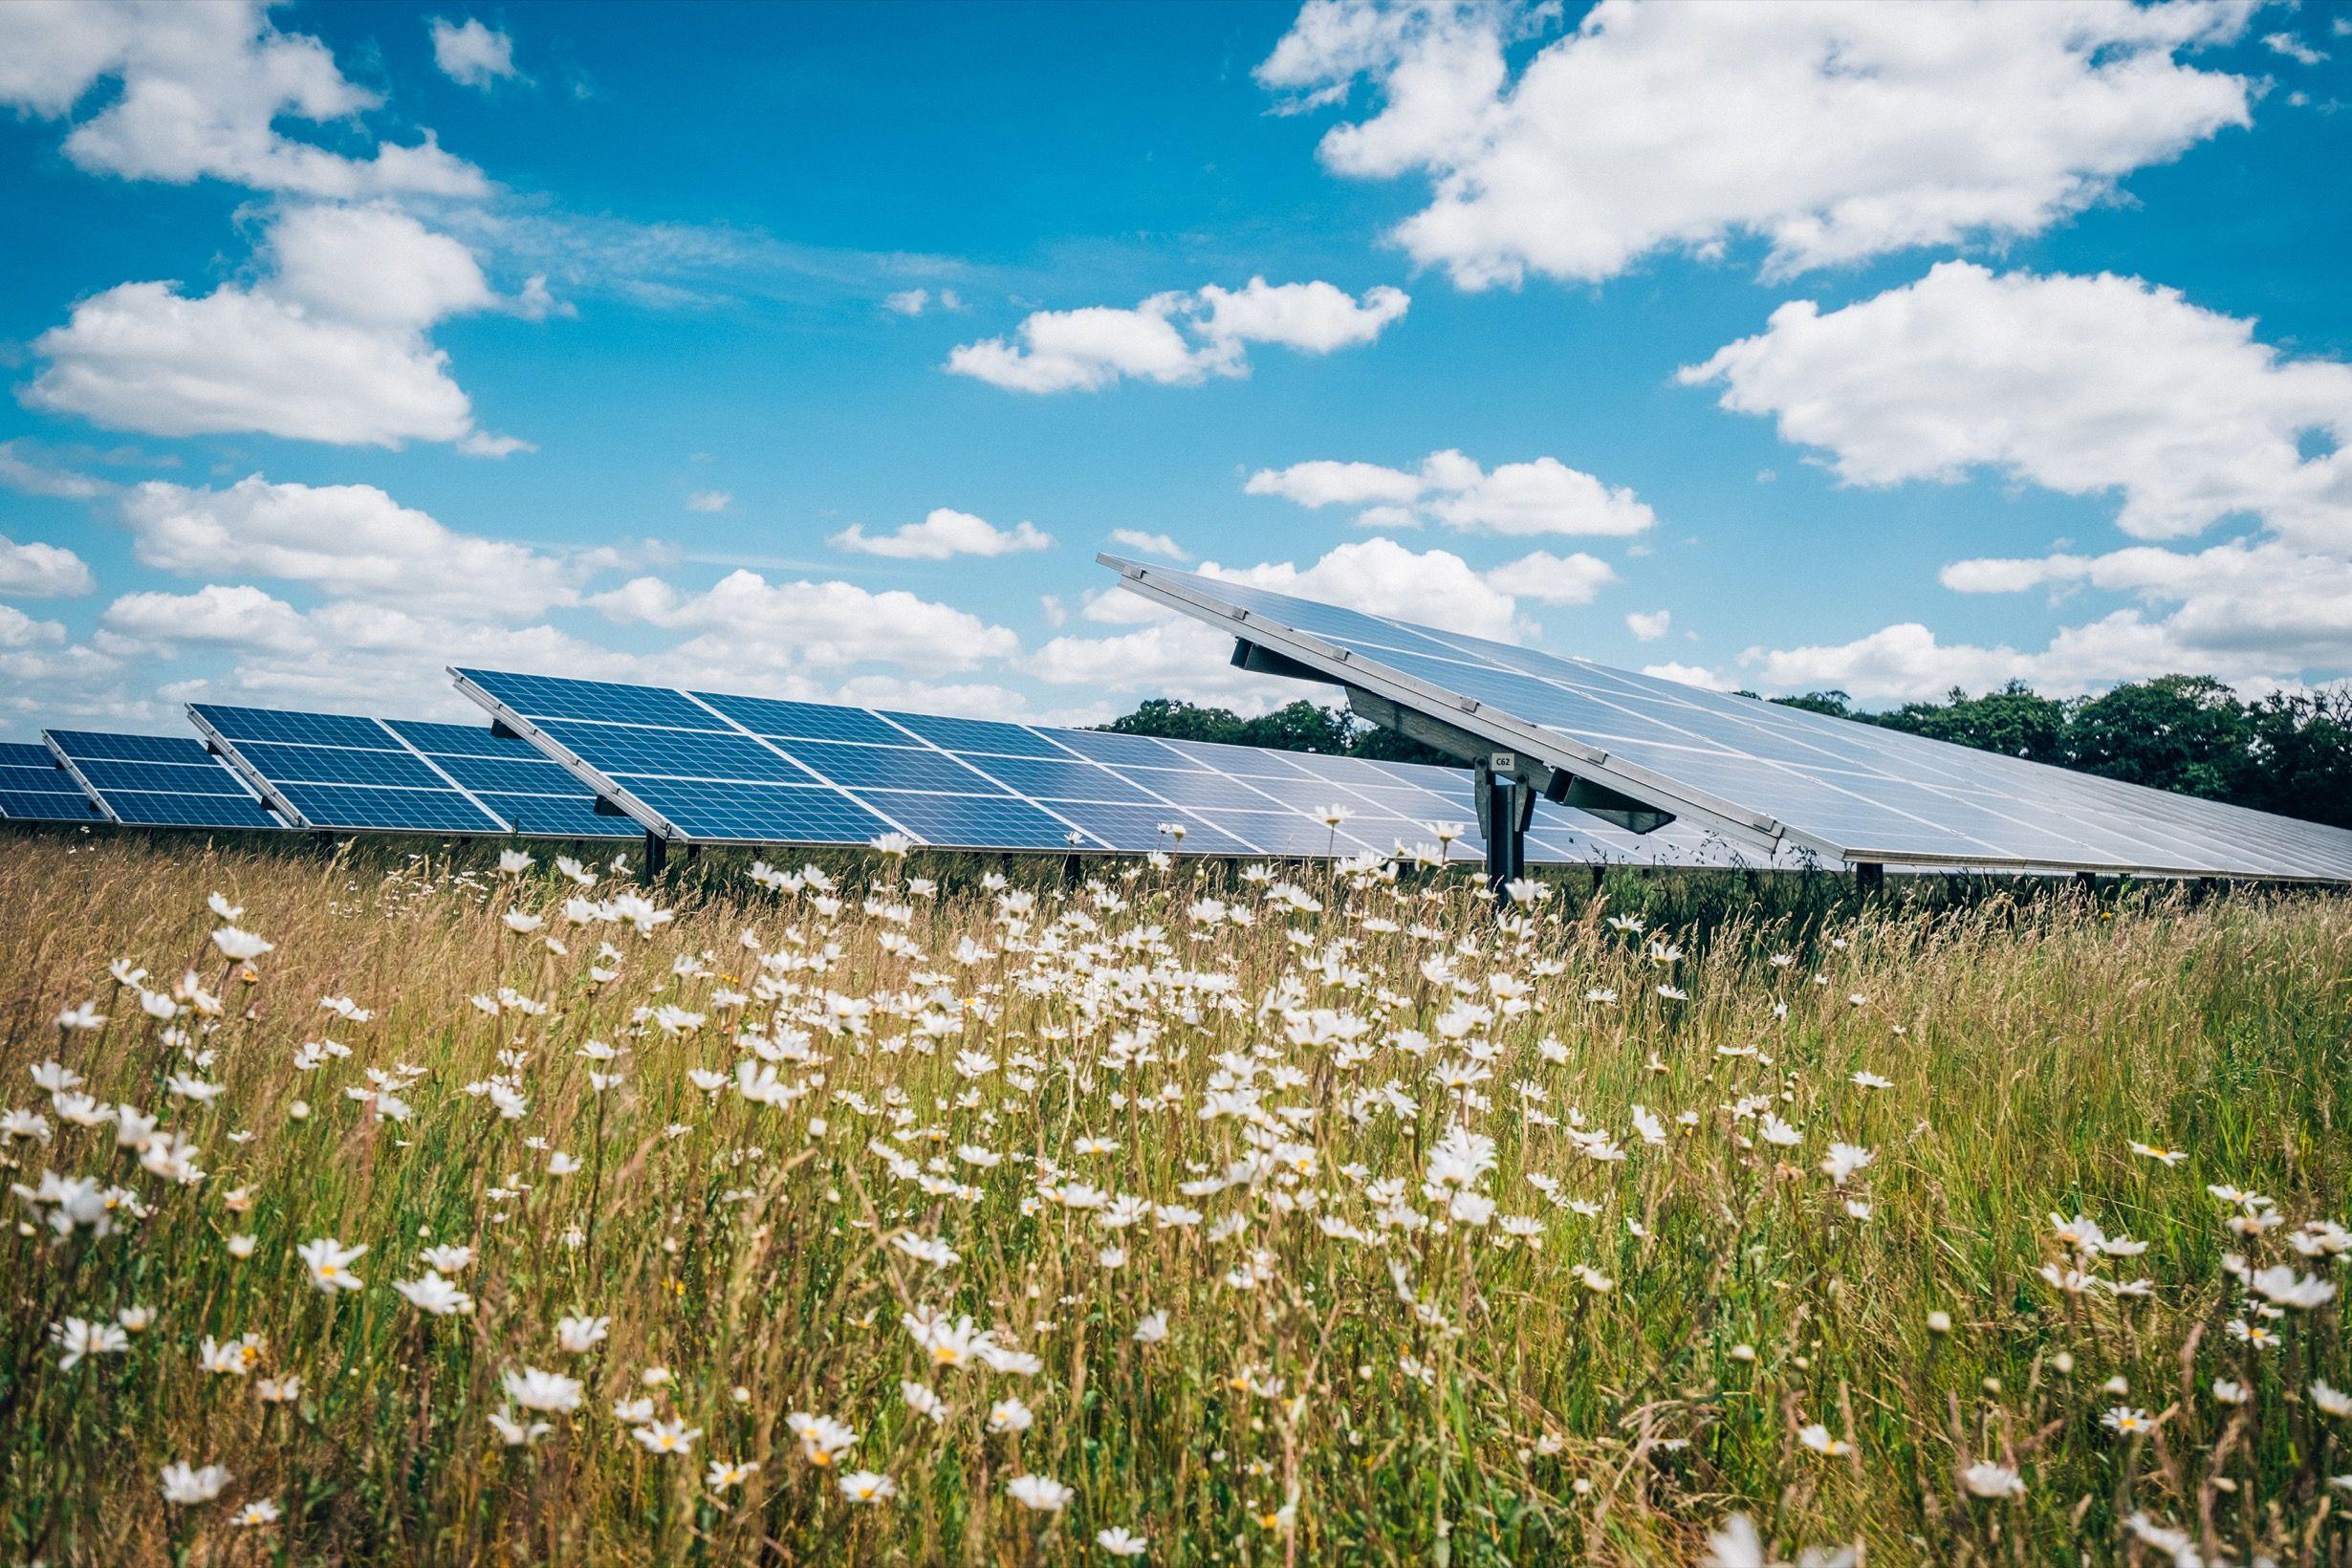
1182 1214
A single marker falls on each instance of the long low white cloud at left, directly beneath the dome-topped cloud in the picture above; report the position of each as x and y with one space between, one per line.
349 542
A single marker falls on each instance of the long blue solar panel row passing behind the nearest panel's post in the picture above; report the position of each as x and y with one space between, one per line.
702 768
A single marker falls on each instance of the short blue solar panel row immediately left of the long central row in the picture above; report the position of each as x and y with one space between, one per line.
342 772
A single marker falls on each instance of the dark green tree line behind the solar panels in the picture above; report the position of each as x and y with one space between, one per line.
2287 751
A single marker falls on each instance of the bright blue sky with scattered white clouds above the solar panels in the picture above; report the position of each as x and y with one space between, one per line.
817 349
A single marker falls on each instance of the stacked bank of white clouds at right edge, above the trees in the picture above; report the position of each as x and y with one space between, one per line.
2090 387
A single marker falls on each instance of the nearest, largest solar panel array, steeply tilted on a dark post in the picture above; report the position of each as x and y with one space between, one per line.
1772 777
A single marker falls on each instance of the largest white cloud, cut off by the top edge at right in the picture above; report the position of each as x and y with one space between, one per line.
1836 133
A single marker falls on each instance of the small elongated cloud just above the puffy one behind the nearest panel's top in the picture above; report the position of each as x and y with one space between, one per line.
1516 500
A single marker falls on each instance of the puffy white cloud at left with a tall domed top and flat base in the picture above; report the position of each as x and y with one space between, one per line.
328 347
